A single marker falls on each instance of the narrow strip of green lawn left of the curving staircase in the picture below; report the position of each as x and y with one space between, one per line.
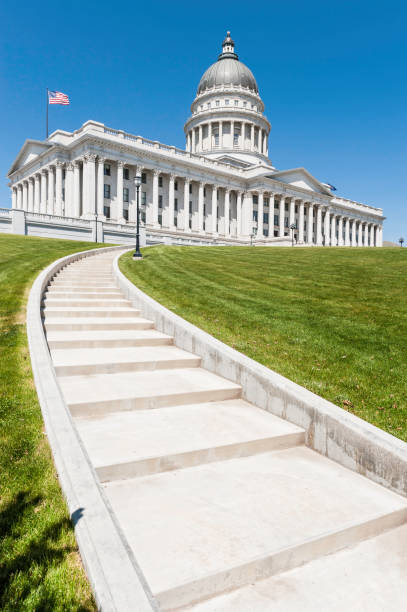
40 567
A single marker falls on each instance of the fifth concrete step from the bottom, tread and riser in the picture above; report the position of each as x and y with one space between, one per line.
72 362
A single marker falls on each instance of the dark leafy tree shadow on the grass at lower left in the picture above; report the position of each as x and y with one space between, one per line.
25 571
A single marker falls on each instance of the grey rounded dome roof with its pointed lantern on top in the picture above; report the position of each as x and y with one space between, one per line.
227 71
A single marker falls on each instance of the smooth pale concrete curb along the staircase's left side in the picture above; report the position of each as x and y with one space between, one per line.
116 580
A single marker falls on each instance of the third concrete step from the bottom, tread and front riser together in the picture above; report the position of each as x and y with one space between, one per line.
141 442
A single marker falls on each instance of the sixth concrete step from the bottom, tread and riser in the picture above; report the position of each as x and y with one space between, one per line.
106 338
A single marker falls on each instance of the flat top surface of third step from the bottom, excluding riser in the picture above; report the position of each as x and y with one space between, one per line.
133 436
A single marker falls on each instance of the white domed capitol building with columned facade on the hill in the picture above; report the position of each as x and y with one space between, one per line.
222 189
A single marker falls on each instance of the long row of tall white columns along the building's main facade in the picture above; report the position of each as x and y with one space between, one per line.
77 189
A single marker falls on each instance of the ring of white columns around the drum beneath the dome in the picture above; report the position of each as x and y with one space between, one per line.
241 135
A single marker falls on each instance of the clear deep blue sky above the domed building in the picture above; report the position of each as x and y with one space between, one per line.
332 75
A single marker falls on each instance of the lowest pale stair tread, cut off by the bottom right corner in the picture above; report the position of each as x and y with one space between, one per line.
369 577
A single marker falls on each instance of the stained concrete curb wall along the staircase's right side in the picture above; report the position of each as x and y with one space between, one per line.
330 430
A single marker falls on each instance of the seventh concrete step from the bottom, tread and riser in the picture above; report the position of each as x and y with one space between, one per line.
96 323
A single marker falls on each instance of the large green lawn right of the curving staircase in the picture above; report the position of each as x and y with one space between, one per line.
332 320
